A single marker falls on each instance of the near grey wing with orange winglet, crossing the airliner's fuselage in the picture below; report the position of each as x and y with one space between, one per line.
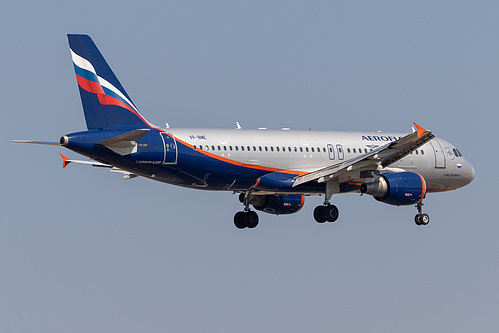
381 156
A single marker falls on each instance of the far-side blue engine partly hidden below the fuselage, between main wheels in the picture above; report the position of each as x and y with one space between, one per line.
277 204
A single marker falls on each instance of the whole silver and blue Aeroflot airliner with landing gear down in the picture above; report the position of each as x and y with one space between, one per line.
272 170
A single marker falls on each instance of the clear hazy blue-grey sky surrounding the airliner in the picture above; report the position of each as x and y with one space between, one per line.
82 250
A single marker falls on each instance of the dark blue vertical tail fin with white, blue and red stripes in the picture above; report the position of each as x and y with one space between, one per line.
105 103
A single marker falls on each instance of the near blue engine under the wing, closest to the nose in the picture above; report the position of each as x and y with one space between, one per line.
399 188
